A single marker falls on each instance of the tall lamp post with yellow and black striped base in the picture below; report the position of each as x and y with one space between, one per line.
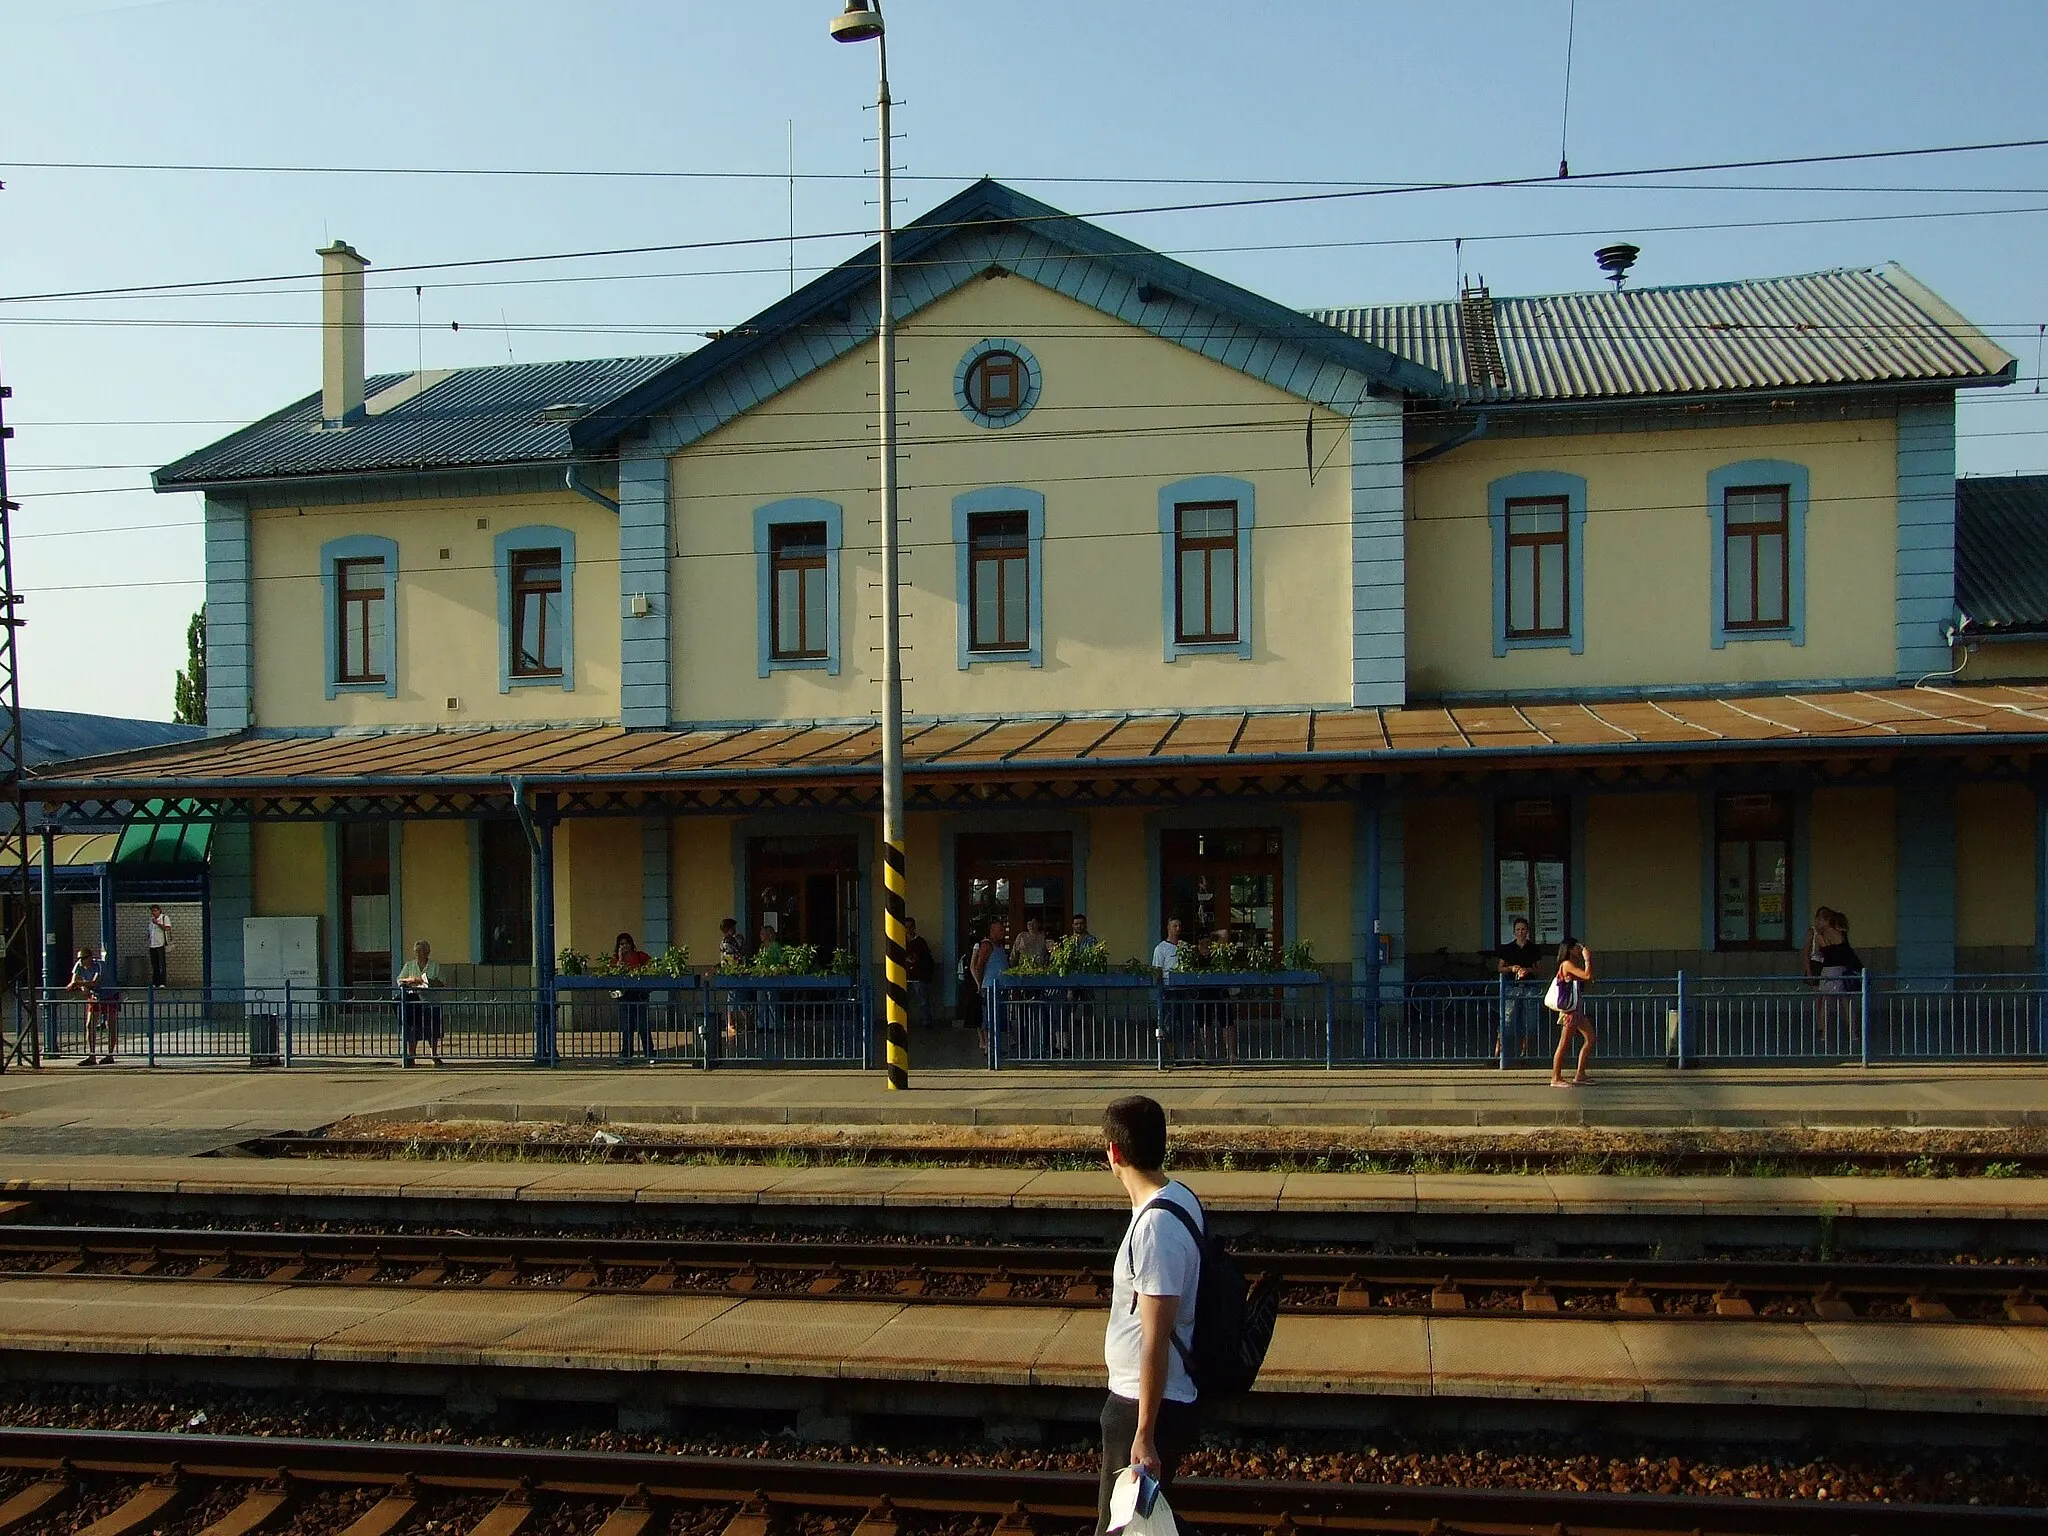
859 24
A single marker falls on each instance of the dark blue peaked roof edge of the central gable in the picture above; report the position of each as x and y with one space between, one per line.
990 208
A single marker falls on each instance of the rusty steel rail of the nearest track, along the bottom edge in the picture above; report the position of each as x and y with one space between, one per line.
880 1494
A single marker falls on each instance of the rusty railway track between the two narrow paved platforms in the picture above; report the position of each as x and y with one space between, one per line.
1328 1283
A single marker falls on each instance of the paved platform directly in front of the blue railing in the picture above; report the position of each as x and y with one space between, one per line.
198 1109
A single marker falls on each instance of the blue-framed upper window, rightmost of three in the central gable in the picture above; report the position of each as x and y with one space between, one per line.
1205 534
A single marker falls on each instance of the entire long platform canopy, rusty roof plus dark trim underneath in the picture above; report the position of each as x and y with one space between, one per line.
1043 761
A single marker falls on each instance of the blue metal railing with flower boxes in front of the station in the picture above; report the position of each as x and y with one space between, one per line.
1191 1019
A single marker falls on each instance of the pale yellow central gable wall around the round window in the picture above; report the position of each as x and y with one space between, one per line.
1142 415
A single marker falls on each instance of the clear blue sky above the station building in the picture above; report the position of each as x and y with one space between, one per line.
1031 93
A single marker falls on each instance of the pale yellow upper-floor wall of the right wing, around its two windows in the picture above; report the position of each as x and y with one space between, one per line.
1648 597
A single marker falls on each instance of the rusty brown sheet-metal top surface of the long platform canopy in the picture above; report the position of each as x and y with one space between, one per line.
1332 740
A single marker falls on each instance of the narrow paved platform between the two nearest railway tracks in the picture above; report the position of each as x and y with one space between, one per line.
538 1342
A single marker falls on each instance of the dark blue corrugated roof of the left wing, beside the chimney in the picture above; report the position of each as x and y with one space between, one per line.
462 419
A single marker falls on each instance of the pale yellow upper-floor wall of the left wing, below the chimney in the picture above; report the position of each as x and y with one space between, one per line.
447 613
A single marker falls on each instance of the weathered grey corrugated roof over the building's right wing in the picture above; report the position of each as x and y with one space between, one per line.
1783 333
